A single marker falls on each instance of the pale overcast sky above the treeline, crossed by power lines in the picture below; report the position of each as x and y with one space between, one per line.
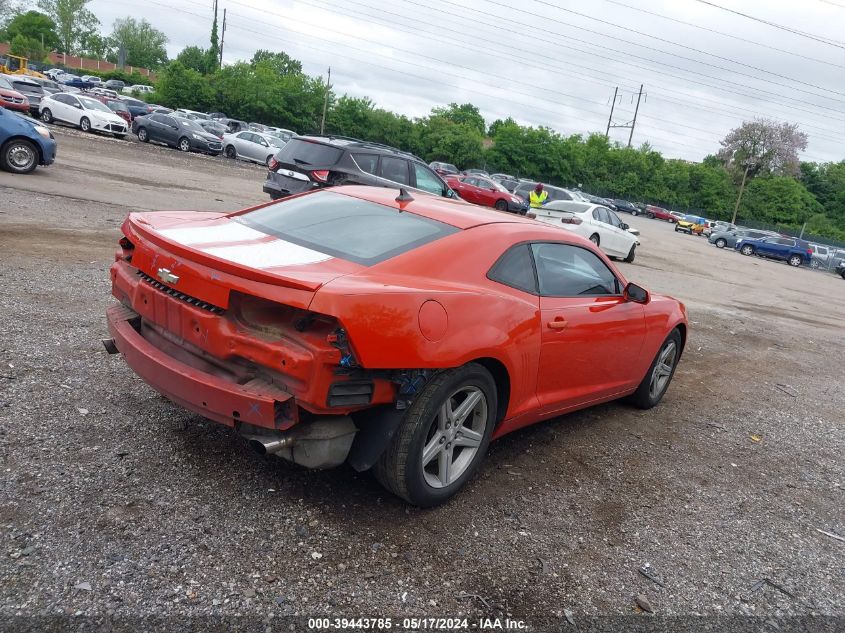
542 63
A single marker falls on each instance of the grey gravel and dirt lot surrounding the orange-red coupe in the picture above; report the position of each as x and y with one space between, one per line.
114 502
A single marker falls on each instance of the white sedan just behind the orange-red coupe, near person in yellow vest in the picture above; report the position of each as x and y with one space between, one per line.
593 221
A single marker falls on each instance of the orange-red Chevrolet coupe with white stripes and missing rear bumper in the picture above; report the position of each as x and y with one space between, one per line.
399 334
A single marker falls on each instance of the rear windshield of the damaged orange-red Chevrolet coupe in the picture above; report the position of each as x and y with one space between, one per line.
348 228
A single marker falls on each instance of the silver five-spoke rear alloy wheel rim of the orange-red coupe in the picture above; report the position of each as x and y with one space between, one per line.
454 437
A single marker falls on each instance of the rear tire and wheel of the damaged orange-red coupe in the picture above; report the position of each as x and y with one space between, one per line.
443 437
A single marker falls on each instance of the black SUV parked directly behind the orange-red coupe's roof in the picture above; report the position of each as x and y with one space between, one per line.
311 162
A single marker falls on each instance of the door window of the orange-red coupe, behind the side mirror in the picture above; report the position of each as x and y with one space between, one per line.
564 270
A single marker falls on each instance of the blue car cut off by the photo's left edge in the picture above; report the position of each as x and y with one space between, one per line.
24 143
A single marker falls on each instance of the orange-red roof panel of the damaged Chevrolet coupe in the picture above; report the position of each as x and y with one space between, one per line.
456 213
